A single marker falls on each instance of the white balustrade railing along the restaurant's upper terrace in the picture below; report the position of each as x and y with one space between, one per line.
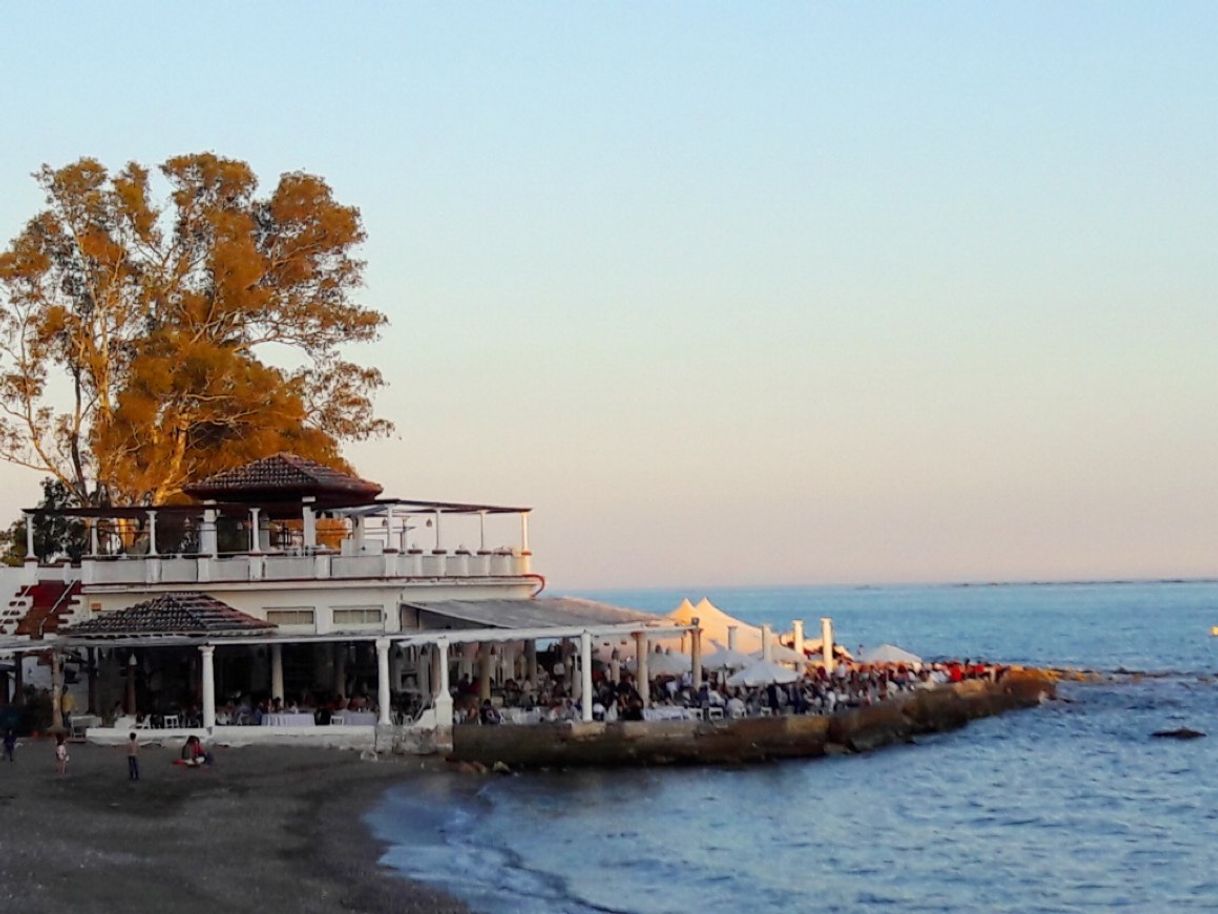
320 566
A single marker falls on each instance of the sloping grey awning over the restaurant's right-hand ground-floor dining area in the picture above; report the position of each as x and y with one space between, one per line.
537 614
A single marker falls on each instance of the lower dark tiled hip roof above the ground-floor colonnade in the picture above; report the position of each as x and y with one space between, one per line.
183 614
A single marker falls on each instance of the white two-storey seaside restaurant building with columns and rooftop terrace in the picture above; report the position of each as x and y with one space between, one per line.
292 579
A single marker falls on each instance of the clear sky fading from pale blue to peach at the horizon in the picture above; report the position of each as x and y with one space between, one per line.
730 293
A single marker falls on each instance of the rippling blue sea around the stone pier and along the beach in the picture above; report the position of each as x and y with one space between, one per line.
1069 807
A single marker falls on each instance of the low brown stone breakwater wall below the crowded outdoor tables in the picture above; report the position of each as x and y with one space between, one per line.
635 743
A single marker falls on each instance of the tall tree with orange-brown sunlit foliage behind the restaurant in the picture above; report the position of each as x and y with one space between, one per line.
133 333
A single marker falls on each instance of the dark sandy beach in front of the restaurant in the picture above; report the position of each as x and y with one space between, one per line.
264 831
